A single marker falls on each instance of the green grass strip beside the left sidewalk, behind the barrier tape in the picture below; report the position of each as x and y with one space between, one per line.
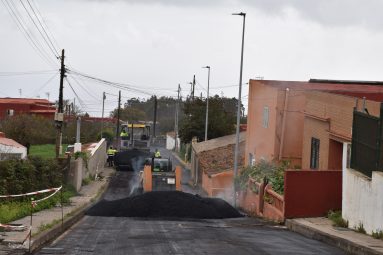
16 209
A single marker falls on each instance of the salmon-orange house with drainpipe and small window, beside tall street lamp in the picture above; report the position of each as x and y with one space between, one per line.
276 116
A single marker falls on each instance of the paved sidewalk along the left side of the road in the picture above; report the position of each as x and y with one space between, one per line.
51 218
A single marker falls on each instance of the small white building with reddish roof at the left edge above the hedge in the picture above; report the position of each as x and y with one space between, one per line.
10 149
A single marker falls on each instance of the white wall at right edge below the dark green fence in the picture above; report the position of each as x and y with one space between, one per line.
362 199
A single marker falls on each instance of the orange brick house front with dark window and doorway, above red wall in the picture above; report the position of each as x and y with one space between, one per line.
328 126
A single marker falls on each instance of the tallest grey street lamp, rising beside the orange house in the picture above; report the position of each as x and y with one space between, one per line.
238 109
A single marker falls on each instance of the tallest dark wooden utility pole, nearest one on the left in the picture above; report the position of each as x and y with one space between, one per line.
59 117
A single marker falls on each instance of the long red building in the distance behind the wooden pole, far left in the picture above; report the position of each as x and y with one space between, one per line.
32 106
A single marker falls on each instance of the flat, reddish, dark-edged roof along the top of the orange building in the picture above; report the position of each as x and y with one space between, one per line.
372 90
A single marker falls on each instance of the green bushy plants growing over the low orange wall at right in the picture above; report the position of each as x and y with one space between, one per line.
272 173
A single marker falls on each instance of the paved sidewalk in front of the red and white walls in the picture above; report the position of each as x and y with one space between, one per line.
321 229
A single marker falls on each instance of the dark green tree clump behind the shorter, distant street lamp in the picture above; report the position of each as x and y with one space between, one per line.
222 116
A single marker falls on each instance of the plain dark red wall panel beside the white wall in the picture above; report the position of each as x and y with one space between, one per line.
310 193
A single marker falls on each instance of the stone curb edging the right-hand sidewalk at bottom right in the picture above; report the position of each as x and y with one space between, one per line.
344 244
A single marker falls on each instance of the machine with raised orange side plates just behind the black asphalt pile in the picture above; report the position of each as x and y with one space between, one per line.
159 175
